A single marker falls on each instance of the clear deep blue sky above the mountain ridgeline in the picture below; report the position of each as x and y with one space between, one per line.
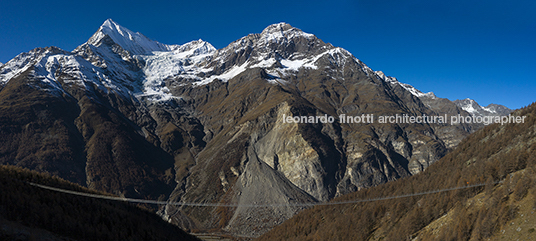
485 50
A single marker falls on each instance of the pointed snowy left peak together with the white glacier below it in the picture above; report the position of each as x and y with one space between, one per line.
147 64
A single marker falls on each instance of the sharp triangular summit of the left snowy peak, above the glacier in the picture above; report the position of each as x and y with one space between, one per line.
135 43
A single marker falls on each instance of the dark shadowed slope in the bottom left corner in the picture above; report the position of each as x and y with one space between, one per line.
32 213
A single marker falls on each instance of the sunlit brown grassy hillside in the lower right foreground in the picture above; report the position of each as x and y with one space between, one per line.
491 154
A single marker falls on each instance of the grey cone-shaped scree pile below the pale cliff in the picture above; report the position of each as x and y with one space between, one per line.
259 184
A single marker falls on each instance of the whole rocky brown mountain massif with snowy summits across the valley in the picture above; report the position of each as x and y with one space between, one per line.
189 123
